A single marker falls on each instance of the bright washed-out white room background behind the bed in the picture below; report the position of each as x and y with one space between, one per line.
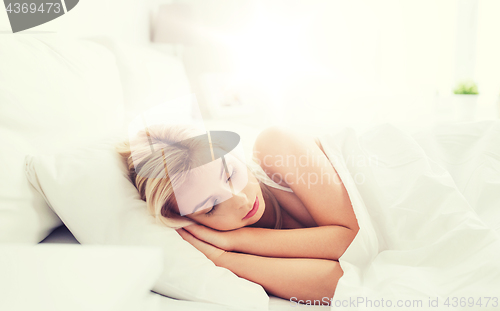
355 62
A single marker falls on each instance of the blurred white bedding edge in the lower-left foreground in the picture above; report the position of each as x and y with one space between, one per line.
78 277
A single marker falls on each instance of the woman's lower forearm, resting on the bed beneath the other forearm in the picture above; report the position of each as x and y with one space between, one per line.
301 278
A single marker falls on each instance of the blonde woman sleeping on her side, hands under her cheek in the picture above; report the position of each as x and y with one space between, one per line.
277 229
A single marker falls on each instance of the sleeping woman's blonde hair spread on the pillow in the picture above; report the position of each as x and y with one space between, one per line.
162 146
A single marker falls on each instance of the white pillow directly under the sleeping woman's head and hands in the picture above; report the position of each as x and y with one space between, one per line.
90 190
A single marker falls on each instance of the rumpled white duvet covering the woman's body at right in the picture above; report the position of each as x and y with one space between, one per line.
428 206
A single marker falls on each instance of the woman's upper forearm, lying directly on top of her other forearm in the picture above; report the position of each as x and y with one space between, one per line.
325 242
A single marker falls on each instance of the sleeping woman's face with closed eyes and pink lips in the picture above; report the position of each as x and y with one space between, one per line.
221 199
